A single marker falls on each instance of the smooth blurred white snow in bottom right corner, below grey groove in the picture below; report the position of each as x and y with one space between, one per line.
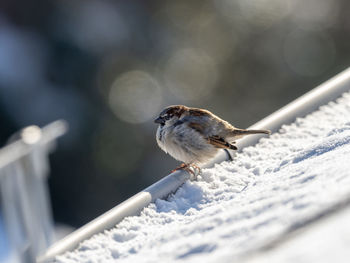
328 240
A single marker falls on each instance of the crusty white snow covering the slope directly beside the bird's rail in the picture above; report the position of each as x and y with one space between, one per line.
237 207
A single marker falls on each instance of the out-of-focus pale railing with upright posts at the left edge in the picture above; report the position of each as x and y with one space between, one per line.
25 211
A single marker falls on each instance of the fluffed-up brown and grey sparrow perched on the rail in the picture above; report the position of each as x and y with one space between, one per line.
194 136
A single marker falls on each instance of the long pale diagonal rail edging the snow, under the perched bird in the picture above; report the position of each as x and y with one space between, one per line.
300 107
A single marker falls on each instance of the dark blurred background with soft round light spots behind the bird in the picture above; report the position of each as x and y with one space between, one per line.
109 67
